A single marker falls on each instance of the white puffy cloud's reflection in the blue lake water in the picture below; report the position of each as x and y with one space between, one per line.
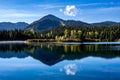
70 69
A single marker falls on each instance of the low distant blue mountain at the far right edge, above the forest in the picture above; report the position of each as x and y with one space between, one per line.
106 23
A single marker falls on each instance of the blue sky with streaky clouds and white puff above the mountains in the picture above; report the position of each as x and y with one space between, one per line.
85 10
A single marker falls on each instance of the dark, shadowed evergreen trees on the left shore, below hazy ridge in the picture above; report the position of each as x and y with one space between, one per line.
15 35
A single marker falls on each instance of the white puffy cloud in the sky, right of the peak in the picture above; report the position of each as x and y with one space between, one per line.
70 10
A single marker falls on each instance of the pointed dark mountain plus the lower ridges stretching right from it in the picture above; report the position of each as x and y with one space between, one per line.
51 21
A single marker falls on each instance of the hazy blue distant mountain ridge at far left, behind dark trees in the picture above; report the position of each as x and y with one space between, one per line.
12 26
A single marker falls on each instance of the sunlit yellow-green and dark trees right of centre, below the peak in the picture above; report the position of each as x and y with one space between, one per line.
111 33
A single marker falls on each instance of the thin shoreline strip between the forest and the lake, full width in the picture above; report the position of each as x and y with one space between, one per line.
55 41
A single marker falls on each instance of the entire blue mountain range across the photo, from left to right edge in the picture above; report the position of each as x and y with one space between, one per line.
51 21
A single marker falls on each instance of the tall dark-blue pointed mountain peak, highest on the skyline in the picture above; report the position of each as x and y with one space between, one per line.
45 23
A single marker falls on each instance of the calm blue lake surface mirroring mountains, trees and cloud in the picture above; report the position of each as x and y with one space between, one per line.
60 61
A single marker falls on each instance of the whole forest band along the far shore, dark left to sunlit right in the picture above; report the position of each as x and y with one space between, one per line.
65 33
